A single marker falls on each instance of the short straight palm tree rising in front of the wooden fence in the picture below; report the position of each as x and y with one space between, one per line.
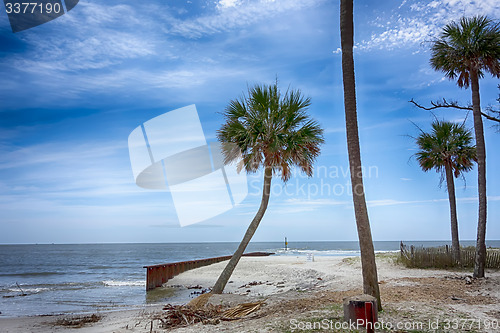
448 149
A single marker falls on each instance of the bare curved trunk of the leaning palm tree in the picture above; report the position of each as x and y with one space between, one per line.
231 265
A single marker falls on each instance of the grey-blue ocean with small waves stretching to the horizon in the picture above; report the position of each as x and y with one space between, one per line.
83 278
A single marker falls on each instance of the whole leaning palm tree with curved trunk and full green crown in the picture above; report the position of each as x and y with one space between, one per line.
269 130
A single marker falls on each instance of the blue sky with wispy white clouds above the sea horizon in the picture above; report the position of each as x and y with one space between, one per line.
73 89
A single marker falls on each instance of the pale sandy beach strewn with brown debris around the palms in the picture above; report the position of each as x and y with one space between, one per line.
299 293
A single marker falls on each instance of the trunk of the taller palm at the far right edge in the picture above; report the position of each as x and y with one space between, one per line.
480 259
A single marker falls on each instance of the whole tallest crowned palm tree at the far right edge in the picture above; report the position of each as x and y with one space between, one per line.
465 51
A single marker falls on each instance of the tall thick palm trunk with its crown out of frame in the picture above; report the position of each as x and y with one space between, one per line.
369 267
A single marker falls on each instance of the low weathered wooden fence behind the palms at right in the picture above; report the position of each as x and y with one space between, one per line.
441 257
